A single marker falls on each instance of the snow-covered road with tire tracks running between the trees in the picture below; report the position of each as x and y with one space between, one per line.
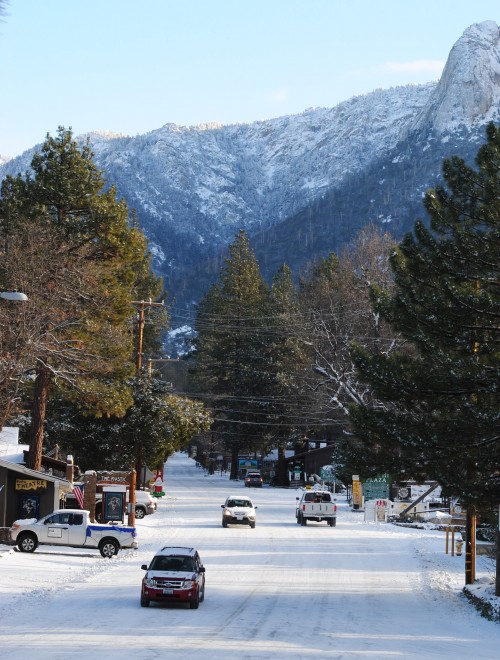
278 591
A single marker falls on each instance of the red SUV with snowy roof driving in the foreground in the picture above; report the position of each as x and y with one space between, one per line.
175 575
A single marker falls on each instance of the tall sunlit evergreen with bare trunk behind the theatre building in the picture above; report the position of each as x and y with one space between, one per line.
80 290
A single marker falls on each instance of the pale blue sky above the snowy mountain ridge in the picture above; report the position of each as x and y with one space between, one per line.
130 67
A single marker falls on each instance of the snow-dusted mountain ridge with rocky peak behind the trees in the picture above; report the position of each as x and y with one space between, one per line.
301 185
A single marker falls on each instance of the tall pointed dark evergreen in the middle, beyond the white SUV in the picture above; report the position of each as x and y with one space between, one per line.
230 350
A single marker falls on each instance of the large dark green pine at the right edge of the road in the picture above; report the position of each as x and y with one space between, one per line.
438 411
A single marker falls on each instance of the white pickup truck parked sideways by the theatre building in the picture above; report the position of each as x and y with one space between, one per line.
72 527
